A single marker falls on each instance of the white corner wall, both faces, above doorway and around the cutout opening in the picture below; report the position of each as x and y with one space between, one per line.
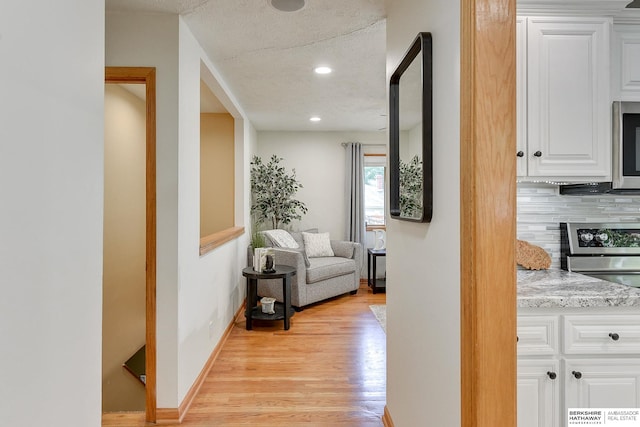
197 296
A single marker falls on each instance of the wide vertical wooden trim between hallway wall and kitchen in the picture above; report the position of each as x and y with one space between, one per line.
488 212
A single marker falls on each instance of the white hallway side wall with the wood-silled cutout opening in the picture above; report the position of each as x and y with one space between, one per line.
210 288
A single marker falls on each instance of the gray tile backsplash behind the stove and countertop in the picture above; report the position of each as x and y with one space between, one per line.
541 210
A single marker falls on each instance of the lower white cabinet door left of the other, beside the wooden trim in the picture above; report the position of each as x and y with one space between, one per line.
538 393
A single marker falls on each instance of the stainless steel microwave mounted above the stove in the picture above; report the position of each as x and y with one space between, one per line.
625 156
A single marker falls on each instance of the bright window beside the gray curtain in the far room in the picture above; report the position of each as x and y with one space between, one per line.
374 179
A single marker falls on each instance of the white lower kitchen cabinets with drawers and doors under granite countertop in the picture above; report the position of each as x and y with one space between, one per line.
576 359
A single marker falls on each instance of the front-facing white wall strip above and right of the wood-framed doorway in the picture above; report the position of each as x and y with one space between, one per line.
152 41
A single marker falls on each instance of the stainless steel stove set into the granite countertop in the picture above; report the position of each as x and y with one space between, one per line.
608 251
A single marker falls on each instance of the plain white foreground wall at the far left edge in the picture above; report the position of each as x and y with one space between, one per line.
51 133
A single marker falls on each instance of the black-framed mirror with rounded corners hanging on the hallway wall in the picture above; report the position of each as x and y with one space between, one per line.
411 134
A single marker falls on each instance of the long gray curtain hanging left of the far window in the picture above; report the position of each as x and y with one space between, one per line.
355 193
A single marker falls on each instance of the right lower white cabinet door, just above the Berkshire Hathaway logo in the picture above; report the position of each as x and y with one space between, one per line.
602 383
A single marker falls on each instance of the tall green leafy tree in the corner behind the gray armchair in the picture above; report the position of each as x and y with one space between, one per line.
273 190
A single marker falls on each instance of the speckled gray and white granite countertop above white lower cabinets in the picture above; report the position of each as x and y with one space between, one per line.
560 288
